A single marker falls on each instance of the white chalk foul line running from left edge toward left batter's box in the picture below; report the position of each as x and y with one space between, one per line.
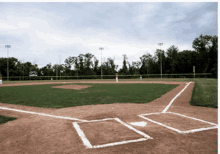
42 114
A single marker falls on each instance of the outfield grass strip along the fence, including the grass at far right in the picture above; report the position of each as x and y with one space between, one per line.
204 93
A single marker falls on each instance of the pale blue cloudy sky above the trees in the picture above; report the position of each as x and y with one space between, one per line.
43 33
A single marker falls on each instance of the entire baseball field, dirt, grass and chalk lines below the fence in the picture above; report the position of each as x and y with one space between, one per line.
102 116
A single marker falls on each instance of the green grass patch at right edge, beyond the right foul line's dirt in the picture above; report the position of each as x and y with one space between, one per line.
205 93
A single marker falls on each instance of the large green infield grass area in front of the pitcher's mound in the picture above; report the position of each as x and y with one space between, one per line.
48 97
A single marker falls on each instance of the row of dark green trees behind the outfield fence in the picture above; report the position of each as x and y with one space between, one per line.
204 57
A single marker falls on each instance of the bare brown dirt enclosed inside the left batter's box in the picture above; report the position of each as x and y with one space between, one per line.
104 132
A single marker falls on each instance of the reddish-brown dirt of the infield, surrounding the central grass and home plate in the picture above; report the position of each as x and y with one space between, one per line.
41 134
